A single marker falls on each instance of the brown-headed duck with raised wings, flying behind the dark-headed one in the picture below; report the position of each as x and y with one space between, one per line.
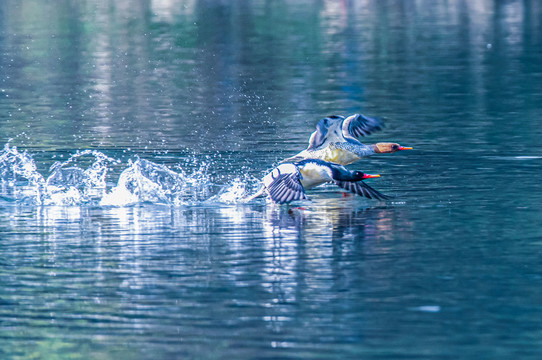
335 140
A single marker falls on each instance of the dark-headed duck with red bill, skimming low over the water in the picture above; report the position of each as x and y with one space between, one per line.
288 181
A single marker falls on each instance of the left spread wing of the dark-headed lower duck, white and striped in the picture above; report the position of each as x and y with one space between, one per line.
284 184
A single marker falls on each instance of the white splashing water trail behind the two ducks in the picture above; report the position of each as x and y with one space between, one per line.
82 180
